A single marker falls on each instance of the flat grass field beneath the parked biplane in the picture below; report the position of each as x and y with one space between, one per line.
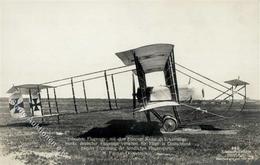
103 136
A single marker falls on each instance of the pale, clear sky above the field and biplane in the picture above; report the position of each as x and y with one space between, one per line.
43 40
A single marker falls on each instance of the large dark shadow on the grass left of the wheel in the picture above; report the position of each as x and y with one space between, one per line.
122 128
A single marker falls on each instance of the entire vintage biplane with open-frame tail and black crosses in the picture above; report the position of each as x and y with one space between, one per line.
146 99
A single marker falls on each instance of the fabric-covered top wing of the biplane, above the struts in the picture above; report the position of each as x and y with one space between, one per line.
151 57
